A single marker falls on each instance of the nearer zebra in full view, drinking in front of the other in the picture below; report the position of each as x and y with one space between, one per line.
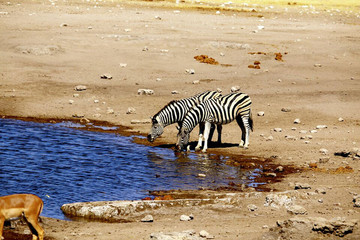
220 111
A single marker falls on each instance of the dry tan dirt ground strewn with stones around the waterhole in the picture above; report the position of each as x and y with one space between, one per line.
49 47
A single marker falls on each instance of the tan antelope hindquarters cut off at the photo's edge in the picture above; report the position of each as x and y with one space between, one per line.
18 205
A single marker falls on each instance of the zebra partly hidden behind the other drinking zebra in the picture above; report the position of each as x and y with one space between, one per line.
175 111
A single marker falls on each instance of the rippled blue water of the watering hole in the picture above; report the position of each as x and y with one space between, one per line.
63 165
